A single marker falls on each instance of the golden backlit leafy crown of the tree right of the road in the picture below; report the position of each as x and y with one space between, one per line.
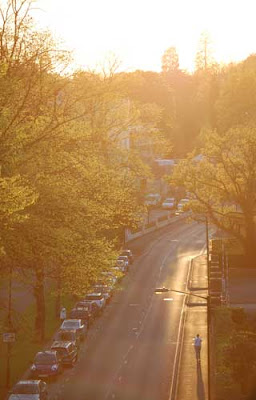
223 182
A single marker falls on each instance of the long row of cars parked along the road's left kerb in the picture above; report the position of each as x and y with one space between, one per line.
63 352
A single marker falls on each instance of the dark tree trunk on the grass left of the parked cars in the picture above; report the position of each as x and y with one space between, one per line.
40 304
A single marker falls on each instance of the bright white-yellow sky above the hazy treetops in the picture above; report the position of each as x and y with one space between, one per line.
139 31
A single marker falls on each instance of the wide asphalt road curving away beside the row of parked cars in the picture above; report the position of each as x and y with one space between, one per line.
131 349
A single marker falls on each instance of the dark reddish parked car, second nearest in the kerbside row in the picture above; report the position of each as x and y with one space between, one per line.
46 364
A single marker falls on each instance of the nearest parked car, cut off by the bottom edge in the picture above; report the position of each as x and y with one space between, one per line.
29 390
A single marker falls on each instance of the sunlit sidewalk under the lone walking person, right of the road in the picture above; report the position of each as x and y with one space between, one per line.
192 376
